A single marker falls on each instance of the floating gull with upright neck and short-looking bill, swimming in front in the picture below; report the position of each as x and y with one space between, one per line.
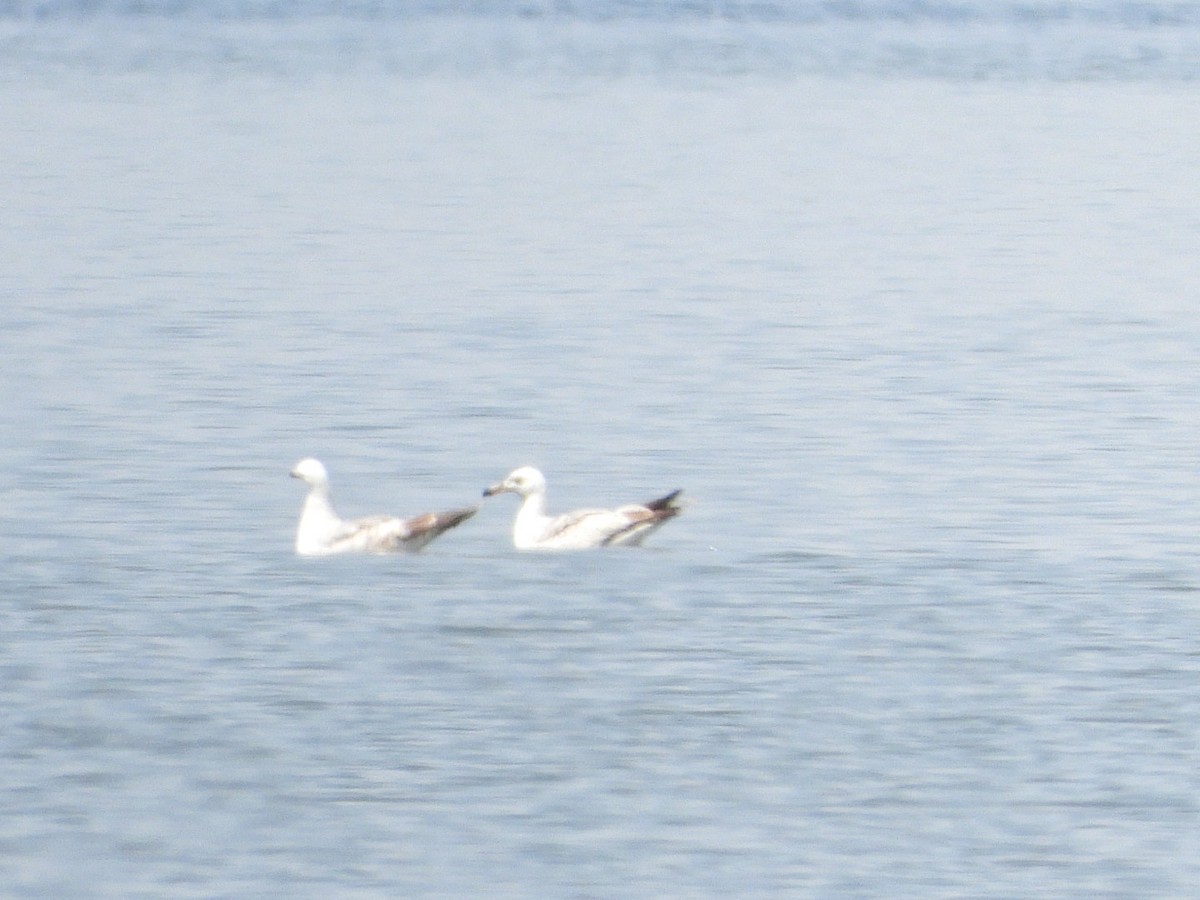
322 532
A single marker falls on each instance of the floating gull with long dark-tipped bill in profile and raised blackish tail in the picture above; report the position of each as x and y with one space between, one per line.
533 530
